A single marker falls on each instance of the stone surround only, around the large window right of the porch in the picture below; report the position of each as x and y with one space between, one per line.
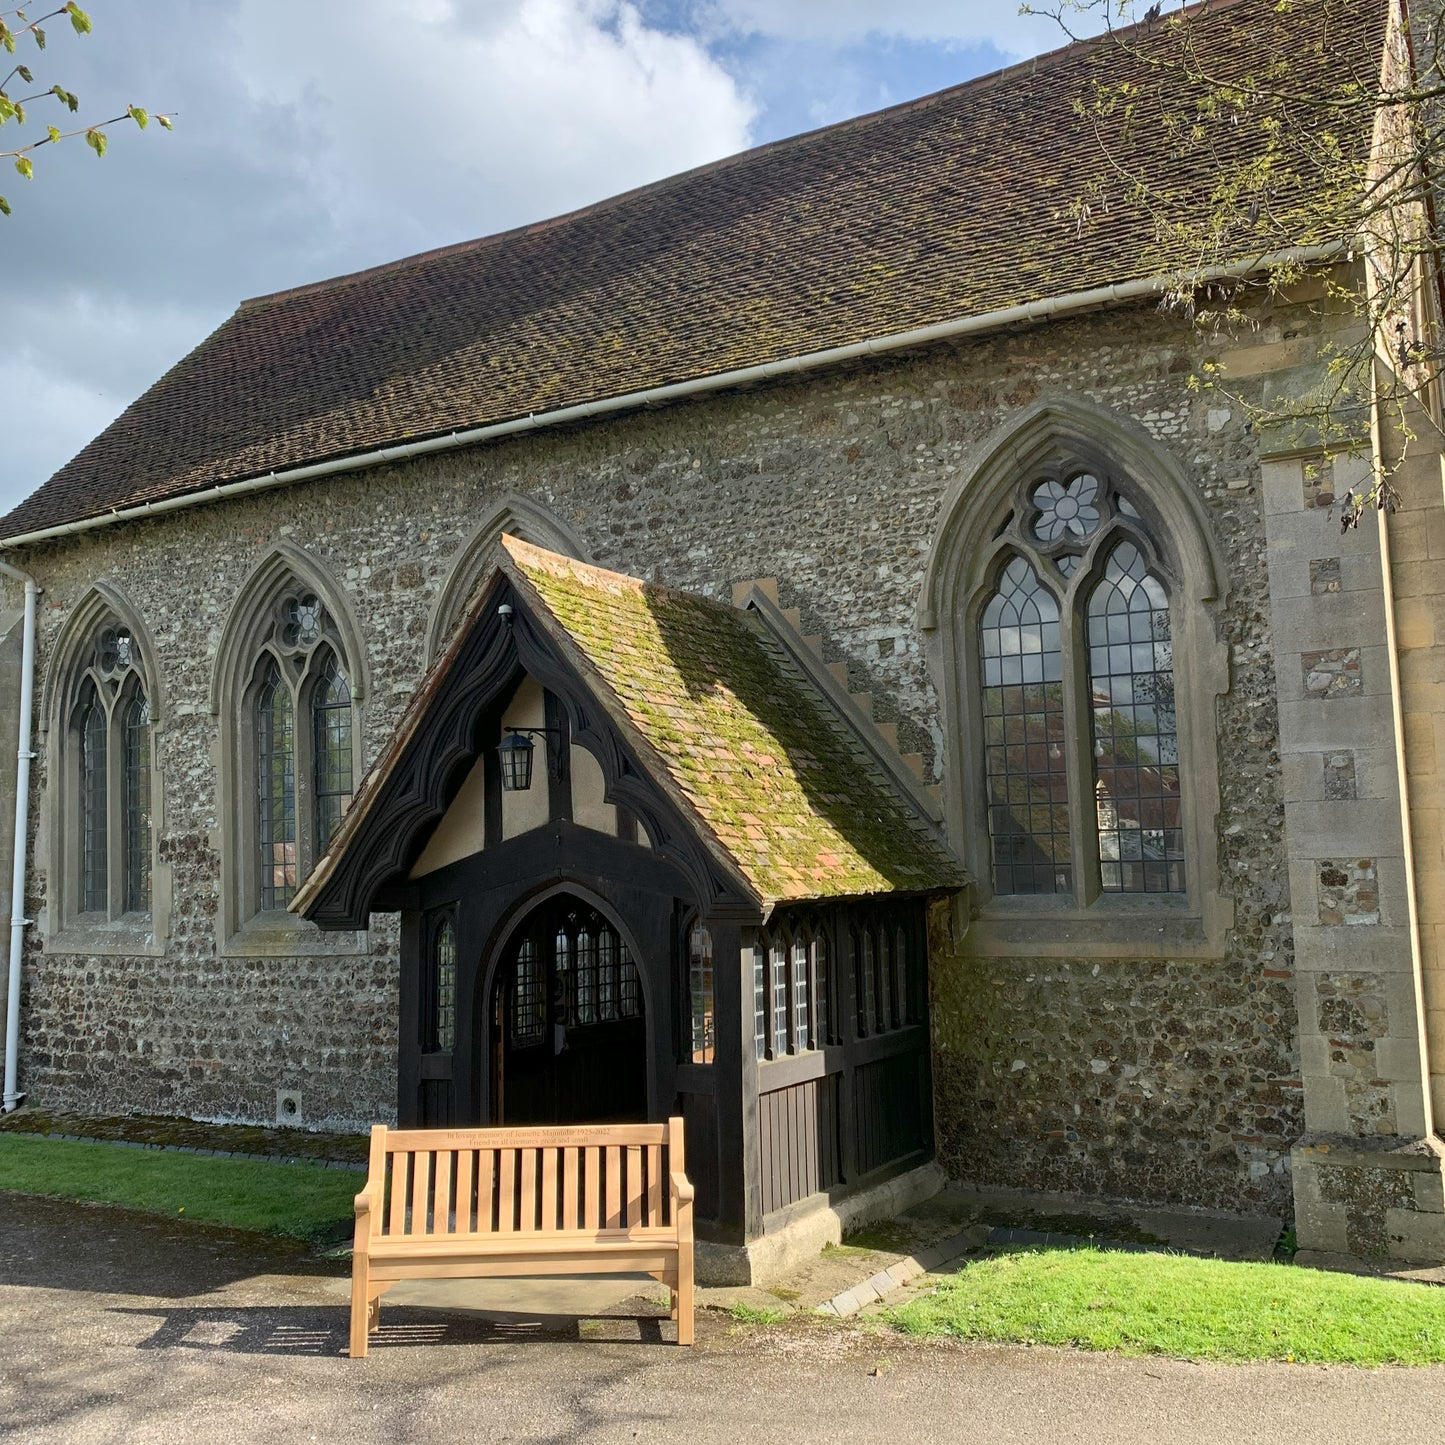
1053 439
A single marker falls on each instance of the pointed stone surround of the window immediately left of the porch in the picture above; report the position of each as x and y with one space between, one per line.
242 931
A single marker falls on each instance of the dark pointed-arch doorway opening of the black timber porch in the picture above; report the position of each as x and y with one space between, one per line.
567 1037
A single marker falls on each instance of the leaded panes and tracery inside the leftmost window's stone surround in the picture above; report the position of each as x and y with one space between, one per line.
111 784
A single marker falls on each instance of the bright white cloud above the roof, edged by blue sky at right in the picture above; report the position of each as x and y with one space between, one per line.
439 121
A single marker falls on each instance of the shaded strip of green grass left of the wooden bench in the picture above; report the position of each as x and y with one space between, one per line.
301 1202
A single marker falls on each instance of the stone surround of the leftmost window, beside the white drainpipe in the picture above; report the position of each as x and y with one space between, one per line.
66 930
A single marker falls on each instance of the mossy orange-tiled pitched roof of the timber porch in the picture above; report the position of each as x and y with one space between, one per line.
771 777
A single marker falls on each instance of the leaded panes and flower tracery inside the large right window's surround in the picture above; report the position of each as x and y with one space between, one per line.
1077 699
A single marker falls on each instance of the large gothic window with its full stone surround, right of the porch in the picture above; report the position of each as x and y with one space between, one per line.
1071 605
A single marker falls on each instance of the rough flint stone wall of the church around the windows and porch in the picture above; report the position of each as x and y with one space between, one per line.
1155 1082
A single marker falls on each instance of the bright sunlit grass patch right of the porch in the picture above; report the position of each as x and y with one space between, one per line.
1183 1307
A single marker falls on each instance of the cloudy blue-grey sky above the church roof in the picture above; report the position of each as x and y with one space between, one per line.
322 137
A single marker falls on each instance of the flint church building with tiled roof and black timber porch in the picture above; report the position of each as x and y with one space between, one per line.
795 647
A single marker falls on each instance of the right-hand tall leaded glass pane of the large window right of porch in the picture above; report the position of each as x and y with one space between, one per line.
1136 742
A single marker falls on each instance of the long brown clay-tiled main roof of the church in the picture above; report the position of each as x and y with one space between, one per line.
943 209
